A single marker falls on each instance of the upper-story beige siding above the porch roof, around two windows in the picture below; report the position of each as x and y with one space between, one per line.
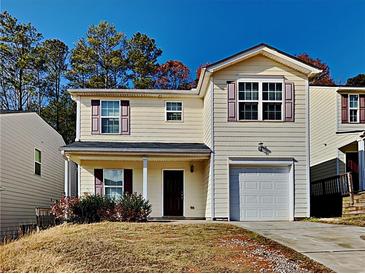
147 121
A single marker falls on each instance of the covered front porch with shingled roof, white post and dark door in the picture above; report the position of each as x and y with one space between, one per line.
173 177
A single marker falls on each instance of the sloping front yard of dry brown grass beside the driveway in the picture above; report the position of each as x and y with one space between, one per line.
150 247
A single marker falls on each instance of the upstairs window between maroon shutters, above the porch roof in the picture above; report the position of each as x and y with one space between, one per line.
110 116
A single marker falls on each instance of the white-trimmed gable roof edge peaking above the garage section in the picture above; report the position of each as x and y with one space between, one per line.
270 52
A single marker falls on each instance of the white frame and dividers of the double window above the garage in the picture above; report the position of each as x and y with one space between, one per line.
260 101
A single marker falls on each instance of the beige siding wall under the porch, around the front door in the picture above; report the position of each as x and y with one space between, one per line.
195 192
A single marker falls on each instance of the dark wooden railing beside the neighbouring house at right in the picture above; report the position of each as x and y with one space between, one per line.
341 184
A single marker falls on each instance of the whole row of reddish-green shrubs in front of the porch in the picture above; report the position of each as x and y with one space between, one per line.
96 208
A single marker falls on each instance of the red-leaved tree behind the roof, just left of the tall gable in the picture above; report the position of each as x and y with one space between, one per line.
173 75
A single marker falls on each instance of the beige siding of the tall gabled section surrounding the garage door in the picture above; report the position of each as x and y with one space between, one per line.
284 139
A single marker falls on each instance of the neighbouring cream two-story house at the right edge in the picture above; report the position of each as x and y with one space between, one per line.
338 133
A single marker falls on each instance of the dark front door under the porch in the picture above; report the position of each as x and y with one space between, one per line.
173 192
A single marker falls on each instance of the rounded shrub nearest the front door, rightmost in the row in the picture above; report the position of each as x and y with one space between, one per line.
133 208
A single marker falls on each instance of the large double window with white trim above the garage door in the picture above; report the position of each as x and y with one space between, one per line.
260 100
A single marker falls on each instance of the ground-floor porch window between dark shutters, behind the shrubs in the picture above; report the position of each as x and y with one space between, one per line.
113 183
